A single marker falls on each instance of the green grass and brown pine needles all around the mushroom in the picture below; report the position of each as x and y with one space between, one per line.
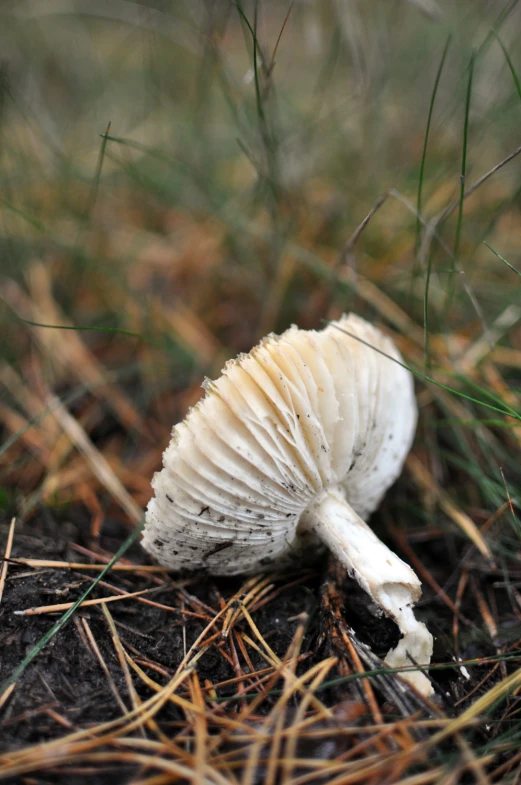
178 179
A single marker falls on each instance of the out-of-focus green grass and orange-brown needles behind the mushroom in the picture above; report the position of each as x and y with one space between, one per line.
180 178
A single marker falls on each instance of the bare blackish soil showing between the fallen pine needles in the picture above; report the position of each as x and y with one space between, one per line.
65 687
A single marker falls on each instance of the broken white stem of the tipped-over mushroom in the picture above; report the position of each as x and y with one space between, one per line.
388 580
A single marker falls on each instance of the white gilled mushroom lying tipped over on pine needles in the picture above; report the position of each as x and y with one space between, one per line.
290 450
